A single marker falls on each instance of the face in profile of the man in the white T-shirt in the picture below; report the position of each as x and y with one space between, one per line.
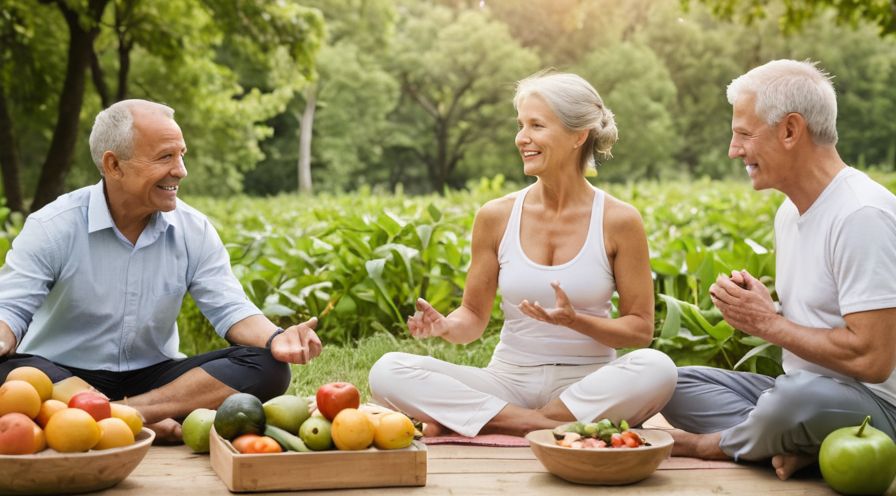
756 143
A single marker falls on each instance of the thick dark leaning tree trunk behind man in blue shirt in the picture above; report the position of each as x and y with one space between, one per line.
62 147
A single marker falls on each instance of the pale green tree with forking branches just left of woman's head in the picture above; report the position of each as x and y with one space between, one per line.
456 71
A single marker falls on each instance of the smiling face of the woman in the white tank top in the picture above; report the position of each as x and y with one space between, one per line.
545 144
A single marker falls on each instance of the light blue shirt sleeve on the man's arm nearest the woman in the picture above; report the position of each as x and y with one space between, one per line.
217 292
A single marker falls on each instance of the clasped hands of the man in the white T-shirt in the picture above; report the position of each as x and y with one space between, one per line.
744 301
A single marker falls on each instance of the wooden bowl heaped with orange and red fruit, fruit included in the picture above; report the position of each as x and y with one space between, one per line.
63 437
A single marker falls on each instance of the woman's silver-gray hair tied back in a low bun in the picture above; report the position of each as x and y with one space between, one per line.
578 106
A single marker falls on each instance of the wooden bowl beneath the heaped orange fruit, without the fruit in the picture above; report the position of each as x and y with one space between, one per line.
52 472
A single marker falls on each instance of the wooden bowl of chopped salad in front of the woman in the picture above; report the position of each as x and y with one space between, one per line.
600 452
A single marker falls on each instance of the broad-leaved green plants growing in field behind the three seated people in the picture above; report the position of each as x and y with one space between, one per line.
360 261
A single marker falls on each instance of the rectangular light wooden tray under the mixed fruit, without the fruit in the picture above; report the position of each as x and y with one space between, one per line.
294 471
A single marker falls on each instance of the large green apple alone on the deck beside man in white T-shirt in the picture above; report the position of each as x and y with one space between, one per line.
858 460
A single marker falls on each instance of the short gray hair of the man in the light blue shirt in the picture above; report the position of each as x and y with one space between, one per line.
113 129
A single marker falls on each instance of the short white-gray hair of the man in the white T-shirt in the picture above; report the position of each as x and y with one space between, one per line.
785 86
